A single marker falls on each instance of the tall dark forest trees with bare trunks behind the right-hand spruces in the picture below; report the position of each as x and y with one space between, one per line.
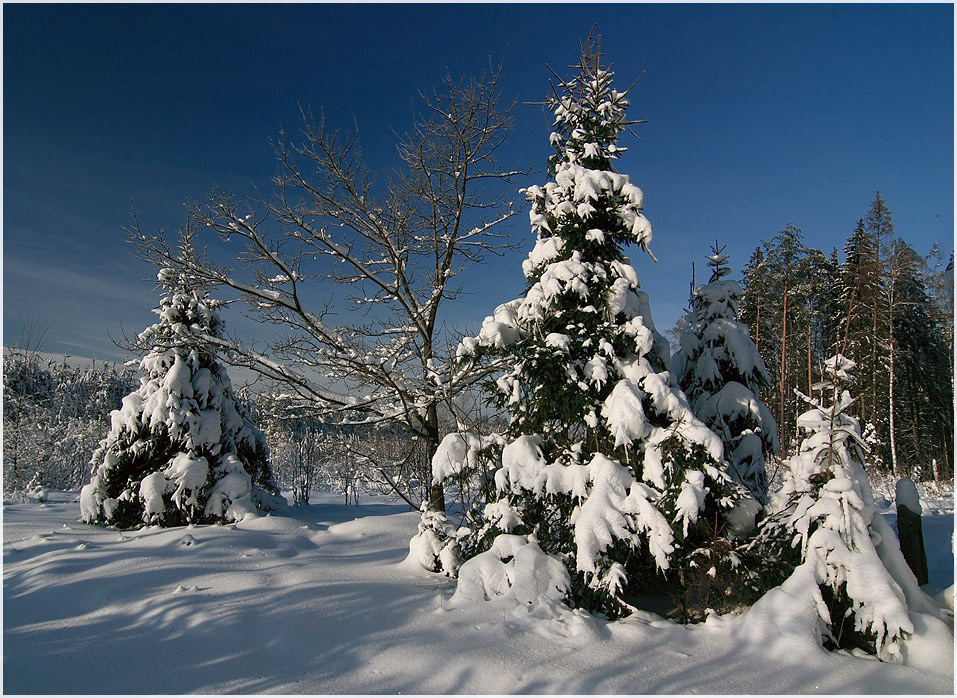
886 307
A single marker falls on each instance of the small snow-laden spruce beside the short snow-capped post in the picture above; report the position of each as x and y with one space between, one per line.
823 535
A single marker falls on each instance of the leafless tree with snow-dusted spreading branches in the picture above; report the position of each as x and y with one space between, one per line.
331 238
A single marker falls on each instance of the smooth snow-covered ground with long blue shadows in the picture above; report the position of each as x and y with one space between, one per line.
321 600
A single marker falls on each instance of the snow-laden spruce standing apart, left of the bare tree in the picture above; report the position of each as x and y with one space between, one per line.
181 449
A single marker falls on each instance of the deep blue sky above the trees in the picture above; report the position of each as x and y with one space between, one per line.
759 115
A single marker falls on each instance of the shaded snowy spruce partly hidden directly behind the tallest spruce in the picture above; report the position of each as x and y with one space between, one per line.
719 369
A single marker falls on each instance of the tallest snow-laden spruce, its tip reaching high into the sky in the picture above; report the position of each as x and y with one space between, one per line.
608 485
